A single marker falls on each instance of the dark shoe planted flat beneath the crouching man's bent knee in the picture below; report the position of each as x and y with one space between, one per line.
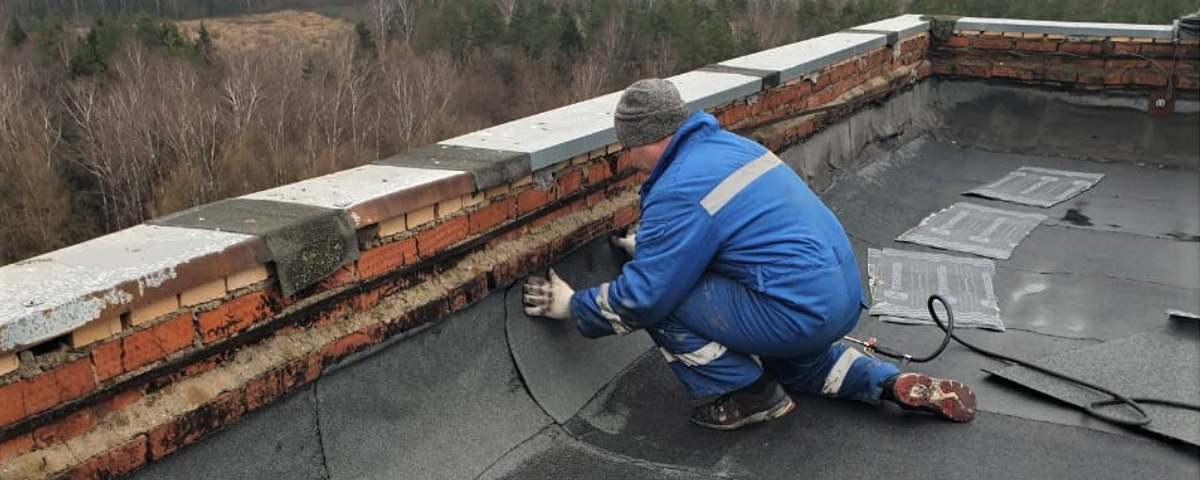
740 409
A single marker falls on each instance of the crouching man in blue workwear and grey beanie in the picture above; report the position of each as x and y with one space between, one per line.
745 280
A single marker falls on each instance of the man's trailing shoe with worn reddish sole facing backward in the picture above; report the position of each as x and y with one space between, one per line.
946 399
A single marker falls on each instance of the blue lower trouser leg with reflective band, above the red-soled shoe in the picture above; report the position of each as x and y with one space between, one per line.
841 371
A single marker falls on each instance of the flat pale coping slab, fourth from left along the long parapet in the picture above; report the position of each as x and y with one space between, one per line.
799 59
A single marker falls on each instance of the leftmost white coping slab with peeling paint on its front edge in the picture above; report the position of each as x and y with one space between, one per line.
52 295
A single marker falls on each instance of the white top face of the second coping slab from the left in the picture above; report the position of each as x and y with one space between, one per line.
346 189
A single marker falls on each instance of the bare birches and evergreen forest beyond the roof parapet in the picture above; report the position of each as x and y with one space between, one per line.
115 112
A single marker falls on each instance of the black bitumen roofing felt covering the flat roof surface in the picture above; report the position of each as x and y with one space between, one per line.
476 397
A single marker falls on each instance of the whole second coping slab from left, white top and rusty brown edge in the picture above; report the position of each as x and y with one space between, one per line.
375 193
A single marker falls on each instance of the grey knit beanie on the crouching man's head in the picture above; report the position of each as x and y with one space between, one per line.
650 111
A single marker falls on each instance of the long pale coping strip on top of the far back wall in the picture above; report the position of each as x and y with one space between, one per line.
1066 28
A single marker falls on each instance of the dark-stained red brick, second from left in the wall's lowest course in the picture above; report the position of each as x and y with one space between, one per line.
185 429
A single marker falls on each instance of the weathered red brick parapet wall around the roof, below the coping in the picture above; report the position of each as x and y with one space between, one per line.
107 399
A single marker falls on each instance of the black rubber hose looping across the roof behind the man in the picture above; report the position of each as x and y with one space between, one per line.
1094 410
